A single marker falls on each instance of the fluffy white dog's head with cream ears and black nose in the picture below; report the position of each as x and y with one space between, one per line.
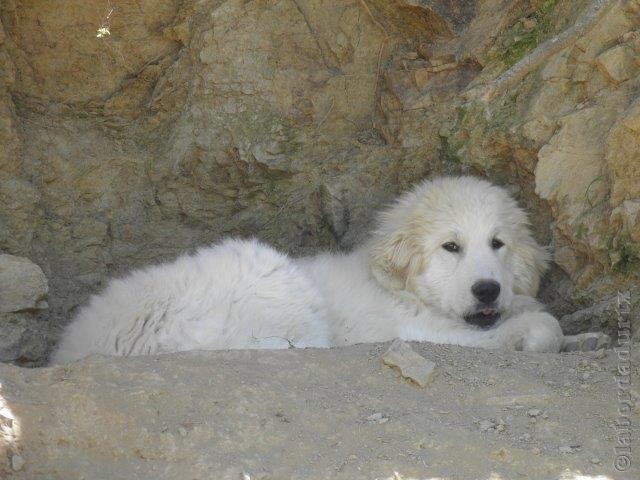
460 245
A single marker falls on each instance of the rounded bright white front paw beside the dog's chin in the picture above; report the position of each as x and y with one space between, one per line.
533 332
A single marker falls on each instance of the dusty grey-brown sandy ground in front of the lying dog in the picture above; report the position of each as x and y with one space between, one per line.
318 414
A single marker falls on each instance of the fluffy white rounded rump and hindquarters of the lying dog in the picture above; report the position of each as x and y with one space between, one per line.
238 294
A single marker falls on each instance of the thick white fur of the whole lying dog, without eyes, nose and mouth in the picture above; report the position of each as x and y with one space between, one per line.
402 283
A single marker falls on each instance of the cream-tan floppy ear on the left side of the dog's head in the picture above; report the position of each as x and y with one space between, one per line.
394 254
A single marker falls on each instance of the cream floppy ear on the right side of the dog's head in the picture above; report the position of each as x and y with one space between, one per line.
530 261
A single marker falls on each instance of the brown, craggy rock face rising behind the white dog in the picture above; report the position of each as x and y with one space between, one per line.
132 131
